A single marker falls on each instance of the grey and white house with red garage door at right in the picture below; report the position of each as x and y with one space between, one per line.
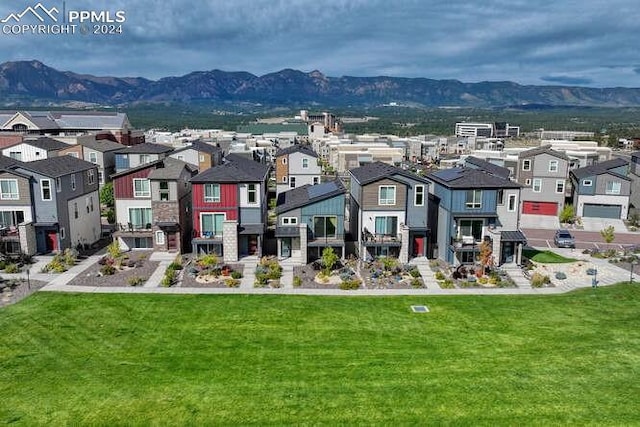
543 173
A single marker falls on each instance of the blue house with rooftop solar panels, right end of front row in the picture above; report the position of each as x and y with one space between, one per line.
471 206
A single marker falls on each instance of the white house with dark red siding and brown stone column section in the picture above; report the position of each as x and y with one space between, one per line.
153 203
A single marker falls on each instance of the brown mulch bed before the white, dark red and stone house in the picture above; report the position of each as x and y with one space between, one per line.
144 268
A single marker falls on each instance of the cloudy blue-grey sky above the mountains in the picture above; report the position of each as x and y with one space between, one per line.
562 42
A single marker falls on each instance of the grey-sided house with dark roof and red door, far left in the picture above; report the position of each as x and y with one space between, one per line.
65 201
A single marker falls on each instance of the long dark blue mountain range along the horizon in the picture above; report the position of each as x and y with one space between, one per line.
33 82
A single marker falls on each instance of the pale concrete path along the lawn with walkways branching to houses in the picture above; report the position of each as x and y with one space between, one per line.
607 275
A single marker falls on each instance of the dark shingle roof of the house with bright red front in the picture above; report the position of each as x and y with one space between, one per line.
235 169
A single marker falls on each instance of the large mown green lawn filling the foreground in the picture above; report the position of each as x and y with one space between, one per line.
571 359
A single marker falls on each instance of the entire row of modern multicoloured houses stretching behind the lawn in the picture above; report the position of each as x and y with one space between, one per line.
193 200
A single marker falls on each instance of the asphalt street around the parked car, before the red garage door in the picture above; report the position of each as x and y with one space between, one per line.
584 239
